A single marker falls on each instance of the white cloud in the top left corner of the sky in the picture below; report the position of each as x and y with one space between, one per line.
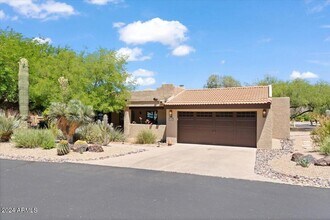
50 9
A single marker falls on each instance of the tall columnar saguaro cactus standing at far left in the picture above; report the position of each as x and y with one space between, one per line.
23 88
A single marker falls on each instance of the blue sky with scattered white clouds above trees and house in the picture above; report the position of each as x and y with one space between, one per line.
184 41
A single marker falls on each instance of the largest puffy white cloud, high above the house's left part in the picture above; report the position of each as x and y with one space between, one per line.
170 33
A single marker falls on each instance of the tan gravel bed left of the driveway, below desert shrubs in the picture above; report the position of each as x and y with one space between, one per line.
9 151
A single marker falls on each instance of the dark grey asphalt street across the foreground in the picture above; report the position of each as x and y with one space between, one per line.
36 190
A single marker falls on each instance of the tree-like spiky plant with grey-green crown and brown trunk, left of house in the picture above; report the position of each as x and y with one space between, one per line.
71 116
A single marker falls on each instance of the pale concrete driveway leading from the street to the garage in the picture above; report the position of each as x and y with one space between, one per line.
208 160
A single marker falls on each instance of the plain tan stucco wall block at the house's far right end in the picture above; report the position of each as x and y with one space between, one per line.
281 117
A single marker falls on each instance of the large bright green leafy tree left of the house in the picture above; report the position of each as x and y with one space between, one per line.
97 79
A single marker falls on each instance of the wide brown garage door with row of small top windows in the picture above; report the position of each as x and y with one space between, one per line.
223 128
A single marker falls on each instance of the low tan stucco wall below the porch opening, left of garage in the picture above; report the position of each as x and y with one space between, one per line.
158 130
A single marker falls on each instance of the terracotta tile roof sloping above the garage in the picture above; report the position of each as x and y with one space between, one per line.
222 96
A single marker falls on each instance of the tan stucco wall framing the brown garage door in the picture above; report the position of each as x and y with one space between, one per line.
264 125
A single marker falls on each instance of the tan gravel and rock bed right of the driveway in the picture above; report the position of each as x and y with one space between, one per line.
277 164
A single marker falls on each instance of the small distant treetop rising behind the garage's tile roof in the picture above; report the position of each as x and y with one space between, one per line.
216 81
